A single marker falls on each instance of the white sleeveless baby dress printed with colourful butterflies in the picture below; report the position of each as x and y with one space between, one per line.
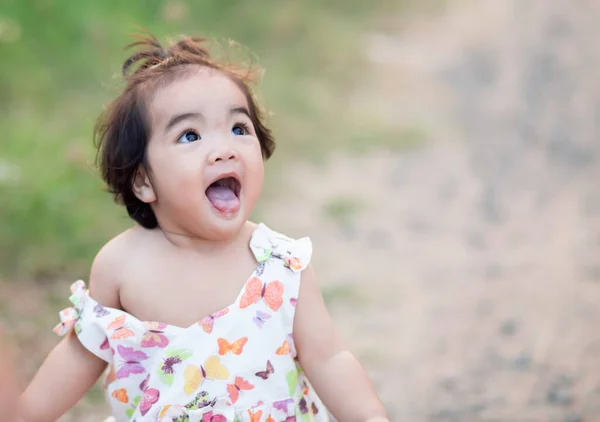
236 364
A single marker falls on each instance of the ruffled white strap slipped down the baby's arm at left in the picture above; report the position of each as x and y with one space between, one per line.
85 317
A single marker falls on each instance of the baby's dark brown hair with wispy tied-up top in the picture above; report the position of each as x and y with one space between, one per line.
122 130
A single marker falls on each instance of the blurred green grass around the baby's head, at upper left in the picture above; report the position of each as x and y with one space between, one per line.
58 64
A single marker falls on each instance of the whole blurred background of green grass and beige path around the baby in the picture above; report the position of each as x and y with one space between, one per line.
442 155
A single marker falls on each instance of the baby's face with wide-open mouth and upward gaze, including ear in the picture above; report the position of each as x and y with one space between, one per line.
205 162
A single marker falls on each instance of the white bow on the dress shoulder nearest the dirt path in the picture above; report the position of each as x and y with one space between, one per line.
266 243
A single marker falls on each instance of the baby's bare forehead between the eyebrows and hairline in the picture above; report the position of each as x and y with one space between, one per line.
203 90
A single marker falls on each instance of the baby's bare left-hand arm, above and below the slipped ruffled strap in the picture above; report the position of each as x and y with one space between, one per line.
70 370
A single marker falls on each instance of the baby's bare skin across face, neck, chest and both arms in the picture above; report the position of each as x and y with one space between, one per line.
196 242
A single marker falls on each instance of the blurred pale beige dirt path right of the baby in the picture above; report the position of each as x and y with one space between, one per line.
466 273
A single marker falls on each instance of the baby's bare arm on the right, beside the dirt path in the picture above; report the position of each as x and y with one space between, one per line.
334 372
